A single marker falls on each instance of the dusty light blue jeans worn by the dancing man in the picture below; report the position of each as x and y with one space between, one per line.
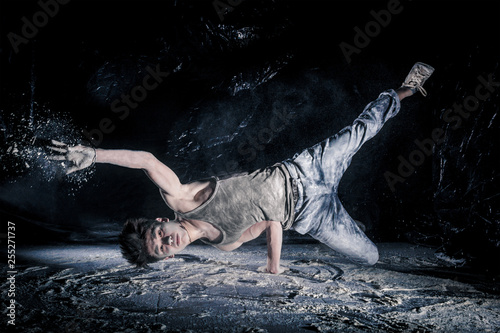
317 172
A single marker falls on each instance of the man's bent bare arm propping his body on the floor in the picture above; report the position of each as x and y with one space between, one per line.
274 234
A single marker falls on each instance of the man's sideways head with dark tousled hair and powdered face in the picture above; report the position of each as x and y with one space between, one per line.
145 241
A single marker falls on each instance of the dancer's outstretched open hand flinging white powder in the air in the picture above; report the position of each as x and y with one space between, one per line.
80 157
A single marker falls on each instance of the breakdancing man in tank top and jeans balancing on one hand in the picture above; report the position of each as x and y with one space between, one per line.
299 194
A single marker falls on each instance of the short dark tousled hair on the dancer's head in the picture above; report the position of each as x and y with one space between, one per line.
133 242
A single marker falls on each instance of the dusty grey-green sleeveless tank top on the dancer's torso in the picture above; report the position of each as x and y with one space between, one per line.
240 201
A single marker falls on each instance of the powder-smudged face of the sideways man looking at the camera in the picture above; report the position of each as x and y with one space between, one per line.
166 238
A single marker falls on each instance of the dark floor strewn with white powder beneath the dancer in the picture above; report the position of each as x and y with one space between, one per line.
91 289
